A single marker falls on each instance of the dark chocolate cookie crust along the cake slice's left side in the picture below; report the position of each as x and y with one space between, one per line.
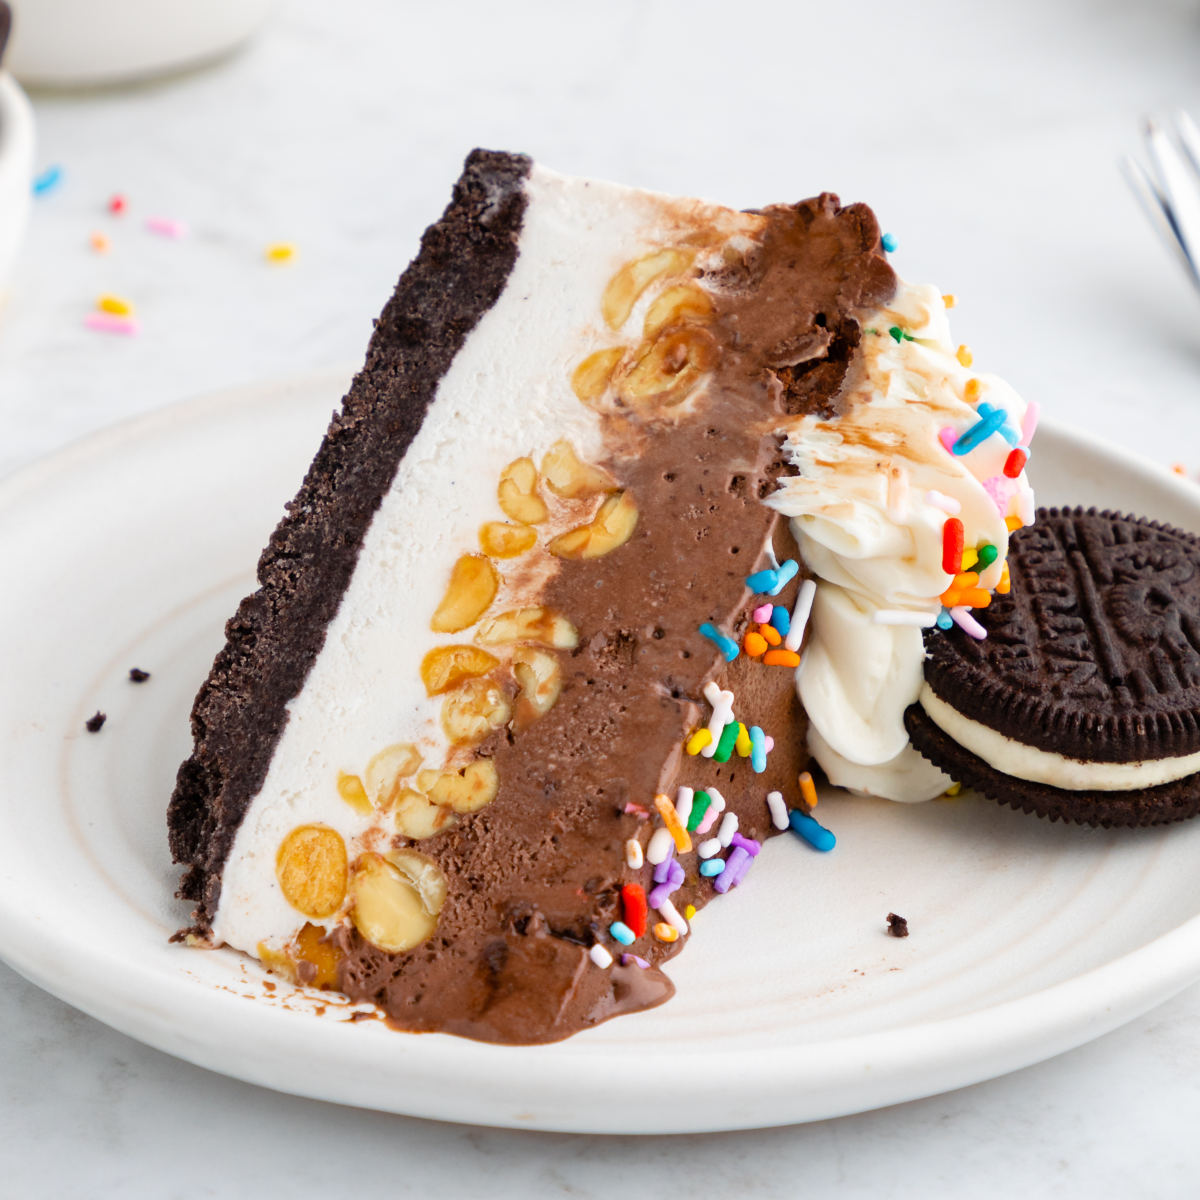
278 632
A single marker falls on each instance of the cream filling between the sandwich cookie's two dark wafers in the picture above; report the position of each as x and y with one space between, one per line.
1037 766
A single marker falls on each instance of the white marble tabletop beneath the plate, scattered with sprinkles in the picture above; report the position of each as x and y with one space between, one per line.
986 137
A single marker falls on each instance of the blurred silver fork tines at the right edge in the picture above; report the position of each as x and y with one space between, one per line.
1171 196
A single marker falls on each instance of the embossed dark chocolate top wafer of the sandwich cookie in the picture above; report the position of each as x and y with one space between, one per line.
1095 655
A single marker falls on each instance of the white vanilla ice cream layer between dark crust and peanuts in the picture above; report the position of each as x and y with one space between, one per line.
507 395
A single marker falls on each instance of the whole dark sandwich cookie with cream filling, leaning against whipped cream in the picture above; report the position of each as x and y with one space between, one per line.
1083 703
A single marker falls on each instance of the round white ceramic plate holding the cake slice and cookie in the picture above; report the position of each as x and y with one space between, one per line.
131 549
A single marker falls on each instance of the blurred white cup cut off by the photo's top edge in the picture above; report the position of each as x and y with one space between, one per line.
83 43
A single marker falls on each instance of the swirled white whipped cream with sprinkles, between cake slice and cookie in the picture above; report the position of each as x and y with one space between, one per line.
868 509
